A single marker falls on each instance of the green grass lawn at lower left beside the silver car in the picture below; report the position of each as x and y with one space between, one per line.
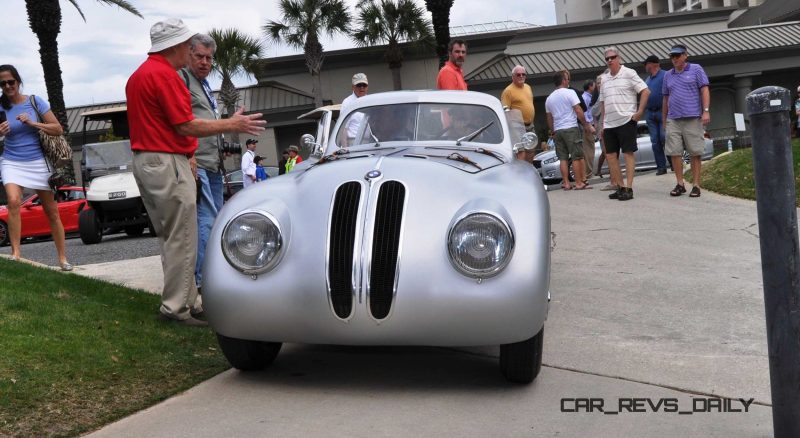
78 353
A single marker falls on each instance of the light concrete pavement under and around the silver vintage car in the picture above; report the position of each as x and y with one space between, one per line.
657 298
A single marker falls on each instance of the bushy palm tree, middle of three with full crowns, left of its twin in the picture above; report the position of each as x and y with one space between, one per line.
303 21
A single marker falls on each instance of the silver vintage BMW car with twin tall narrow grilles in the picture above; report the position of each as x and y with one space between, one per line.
413 232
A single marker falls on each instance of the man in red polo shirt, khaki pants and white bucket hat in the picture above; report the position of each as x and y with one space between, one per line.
163 139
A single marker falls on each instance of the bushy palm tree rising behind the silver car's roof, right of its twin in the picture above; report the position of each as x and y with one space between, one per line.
390 22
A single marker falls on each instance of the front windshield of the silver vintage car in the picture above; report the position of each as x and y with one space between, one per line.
420 122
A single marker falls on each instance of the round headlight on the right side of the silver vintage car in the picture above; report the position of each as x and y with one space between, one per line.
480 245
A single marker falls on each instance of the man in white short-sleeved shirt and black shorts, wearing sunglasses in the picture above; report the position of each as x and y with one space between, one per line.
618 100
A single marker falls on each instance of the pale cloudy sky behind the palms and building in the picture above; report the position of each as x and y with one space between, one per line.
97 56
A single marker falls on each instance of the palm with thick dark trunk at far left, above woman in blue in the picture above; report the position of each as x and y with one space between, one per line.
44 18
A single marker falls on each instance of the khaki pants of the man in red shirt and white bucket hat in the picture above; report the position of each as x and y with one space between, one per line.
169 192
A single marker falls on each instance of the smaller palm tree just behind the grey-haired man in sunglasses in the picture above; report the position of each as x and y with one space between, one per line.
236 54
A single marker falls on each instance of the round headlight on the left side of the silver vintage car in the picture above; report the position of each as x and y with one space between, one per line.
251 242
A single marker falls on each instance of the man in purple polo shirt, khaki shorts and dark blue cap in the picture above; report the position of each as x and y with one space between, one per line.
686 110
